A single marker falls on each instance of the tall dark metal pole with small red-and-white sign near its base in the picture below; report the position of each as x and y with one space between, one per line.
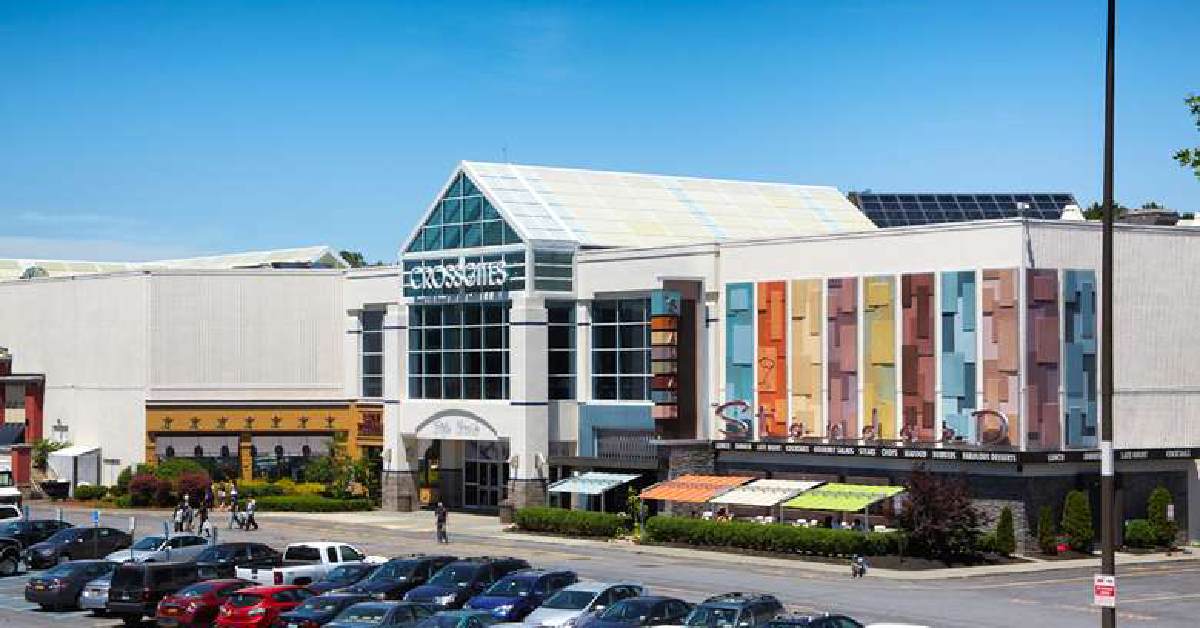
1108 465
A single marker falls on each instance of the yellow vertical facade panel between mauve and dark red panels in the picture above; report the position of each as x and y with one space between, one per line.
880 361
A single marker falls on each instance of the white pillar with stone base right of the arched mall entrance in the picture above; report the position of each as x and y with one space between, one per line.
530 445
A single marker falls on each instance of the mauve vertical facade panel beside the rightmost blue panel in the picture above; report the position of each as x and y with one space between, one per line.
1043 415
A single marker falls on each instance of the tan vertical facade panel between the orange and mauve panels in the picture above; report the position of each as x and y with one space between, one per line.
806 355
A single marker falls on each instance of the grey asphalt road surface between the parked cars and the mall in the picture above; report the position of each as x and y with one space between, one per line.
1160 595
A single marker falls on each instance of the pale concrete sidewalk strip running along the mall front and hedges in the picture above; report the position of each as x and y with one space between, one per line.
490 529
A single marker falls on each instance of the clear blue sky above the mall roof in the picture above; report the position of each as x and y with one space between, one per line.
149 130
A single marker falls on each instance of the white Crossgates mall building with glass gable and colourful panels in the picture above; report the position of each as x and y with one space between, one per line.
544 322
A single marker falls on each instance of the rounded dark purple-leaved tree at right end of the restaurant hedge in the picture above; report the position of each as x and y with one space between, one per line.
939 517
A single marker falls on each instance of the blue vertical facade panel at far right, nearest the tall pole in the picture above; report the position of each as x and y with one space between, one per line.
1079 357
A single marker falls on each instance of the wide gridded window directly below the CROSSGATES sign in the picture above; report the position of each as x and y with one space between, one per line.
459 351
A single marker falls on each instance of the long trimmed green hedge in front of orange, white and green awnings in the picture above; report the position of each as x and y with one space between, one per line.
772 537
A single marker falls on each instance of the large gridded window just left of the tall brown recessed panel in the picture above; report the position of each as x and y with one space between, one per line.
621 350
